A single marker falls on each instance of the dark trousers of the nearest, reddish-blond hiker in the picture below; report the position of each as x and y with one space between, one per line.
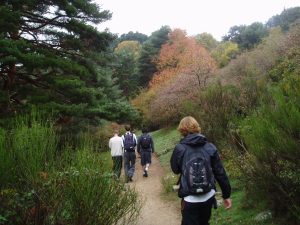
196 213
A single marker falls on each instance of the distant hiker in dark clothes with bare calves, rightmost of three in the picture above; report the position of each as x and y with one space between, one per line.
145 148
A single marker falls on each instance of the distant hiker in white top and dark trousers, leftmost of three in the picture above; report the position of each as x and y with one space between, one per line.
116 148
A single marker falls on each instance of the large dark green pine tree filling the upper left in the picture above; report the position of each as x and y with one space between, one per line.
51 55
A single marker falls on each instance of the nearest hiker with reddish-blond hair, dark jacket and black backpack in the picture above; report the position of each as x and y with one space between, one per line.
199 165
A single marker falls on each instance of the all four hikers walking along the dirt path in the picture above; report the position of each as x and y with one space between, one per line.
194 158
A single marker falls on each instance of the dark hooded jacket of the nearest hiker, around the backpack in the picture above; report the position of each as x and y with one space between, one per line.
195 141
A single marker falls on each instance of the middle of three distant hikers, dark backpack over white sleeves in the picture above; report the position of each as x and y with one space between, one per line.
129 143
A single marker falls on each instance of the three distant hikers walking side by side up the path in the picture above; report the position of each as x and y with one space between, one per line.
125 147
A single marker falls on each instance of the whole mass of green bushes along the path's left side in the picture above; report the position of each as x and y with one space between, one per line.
46 186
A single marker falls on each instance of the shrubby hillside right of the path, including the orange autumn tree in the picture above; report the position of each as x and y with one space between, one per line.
244 91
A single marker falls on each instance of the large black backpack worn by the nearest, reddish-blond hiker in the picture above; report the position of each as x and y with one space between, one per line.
197 176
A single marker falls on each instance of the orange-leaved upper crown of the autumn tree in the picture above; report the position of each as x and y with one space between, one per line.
182 55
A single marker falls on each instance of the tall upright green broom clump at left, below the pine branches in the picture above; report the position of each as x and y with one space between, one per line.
33 146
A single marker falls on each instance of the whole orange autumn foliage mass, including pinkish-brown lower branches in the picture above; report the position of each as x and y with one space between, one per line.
184 67
